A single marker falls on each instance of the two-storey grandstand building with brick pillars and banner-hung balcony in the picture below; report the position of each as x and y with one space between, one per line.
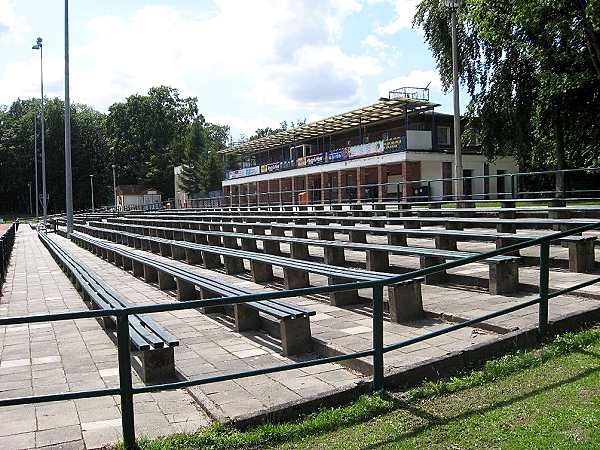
377 152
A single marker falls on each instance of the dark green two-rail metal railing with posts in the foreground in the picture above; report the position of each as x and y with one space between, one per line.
127 390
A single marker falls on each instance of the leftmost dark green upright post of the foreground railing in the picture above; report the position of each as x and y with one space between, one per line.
125 384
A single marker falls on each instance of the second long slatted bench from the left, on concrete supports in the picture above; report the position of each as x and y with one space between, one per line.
293 321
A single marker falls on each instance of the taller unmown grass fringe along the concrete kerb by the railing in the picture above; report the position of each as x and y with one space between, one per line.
367 407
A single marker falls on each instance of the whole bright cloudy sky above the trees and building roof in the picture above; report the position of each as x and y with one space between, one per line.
250 63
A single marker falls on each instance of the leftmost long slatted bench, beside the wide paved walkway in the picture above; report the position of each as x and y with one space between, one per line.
153 357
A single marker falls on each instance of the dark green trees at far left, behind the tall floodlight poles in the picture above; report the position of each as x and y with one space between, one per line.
89 150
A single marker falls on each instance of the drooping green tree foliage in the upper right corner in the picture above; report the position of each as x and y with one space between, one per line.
530 68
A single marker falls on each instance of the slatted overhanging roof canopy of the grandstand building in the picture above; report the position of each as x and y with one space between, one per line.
383 110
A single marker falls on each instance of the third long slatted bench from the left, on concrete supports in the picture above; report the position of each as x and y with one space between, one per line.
404 299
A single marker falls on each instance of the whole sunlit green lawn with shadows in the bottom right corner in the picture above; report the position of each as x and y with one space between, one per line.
546 398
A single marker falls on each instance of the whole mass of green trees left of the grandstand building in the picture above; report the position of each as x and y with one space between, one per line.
146 137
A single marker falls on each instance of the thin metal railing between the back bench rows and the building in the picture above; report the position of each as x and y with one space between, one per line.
521 185
